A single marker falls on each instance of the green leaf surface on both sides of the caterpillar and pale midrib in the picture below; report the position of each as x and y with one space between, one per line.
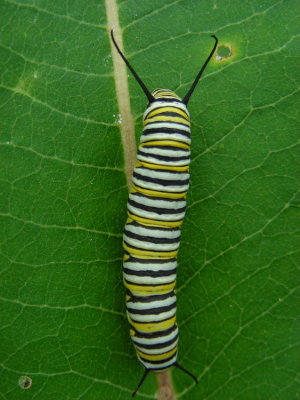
63 203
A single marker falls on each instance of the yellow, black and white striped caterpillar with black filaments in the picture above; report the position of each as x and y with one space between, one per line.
156 208
